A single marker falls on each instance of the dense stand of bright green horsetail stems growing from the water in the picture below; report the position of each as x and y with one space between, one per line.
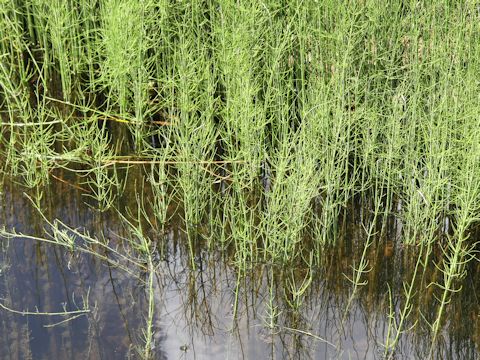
264 119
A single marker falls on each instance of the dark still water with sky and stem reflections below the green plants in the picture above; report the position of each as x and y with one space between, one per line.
209 312
